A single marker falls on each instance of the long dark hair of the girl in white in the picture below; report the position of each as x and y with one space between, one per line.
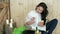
45 11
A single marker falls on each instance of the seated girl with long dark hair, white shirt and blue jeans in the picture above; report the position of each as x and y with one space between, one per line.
40 13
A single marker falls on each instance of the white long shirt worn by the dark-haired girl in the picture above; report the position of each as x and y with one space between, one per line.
37 17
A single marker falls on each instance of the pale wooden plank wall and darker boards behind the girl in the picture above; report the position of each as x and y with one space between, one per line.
18 9
